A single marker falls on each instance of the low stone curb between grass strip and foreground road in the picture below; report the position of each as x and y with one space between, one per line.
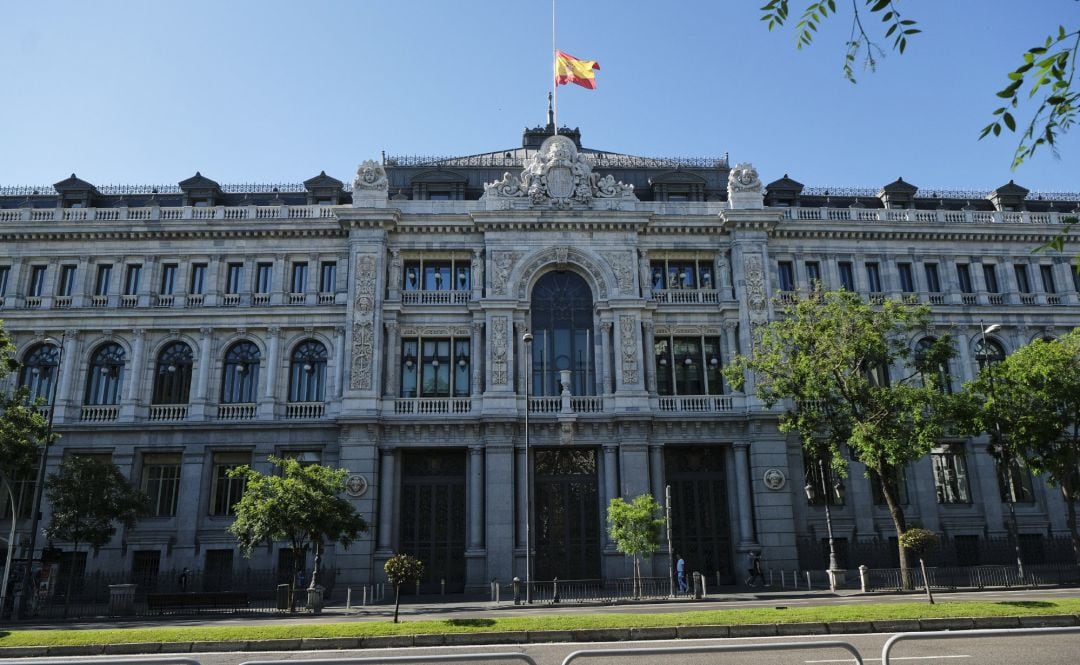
585 635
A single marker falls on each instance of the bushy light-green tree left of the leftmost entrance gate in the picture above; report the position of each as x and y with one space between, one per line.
301 505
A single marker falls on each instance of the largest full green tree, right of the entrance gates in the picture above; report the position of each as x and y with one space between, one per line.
829 359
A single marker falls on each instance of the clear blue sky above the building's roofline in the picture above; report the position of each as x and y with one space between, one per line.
264 91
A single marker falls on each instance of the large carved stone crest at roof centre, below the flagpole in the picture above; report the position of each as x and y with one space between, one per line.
559 177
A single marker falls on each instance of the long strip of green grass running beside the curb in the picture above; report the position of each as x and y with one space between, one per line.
373 629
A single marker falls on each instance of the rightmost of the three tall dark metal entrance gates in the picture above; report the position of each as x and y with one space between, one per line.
701 531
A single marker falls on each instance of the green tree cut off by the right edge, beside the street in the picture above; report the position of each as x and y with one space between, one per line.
1031 404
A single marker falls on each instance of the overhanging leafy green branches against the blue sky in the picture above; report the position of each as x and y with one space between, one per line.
1045 78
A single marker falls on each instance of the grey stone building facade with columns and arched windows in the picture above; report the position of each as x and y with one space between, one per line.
381 328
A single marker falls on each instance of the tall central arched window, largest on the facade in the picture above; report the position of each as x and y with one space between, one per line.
563 334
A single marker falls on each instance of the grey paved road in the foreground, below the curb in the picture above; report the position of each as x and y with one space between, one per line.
1019 650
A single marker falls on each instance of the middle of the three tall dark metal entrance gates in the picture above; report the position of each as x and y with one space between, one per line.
568 539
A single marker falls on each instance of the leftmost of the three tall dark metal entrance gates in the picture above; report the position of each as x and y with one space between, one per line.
434 517
